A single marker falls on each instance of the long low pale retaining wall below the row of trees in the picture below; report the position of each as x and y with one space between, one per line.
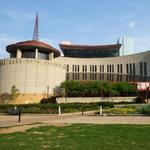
93 99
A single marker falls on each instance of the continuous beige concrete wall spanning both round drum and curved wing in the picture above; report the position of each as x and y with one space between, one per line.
32 76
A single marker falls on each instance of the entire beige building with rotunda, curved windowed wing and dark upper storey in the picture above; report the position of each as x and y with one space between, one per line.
36 68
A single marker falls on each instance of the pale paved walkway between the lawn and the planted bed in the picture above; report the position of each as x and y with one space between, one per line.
6 120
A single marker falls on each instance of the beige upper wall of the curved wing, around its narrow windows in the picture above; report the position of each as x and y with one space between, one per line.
135 58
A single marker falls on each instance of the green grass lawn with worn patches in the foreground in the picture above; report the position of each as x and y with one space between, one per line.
79 137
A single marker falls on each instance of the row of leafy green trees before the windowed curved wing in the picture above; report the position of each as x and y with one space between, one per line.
97 88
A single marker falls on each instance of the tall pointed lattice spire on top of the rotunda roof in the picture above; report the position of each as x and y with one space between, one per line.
36 29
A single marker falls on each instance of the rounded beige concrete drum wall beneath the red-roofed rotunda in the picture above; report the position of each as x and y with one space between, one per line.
30 75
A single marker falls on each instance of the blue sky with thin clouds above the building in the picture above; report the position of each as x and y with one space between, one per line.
79 21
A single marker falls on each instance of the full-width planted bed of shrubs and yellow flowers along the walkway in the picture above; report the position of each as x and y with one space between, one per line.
109 108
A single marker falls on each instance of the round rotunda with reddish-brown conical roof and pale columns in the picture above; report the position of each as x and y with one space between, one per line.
32 49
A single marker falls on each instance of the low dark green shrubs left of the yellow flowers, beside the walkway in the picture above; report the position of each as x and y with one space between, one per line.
52 108
